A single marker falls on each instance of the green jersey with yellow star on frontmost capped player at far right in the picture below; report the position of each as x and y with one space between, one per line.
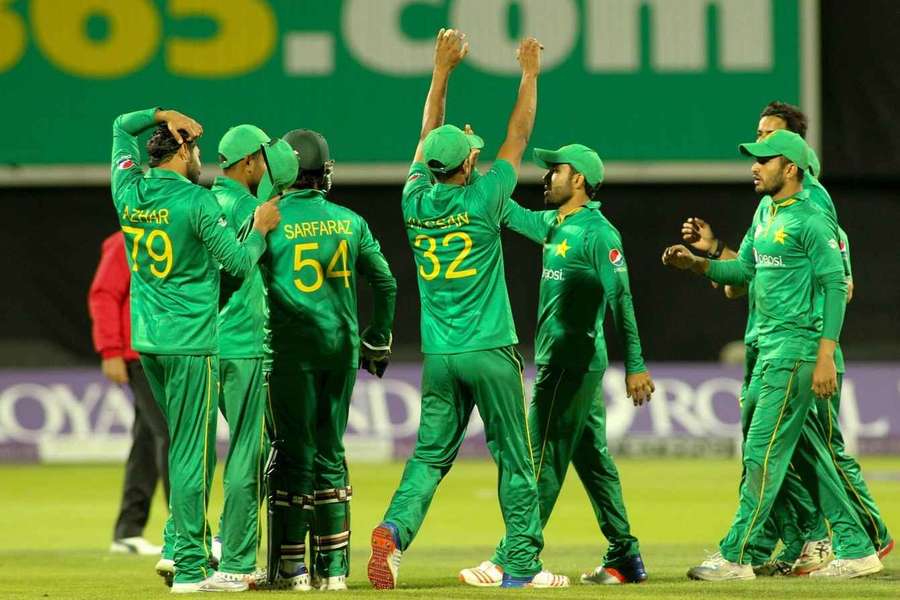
792 255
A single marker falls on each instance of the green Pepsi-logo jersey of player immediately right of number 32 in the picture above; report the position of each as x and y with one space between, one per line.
584 271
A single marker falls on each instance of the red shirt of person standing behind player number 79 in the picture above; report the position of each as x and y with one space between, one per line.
108 301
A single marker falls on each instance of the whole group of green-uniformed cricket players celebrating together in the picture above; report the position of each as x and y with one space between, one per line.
243 299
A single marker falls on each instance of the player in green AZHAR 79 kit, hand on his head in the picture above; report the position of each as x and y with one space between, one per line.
176 237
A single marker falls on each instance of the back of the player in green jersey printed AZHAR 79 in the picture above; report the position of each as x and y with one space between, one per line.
174 280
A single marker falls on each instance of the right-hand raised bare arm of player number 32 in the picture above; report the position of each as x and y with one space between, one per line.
521 121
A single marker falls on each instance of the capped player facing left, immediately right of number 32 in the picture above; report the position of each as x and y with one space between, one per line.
583 272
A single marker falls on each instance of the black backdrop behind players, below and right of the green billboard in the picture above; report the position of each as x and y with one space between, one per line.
51 239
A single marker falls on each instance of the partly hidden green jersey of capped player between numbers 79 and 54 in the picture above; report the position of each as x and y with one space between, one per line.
243 320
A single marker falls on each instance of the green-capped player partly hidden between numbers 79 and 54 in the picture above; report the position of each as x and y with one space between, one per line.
242 326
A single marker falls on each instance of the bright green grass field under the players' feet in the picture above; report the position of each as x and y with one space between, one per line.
56 522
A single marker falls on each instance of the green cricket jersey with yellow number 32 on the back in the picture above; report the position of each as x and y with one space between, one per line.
454 232
